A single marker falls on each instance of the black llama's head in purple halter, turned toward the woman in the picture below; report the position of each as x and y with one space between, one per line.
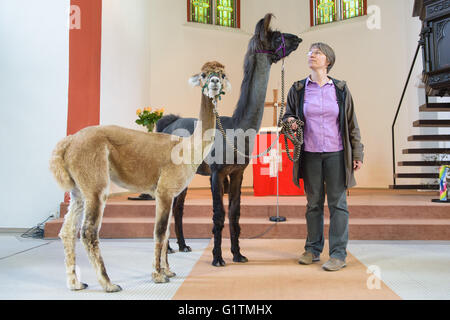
272 42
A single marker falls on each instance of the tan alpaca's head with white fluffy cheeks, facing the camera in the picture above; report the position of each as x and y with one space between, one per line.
212 79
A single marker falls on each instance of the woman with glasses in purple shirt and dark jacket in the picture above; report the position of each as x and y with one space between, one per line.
331 152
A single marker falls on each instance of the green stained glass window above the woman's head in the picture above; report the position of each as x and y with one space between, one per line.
326 11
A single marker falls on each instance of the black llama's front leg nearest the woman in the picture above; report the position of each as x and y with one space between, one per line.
234 213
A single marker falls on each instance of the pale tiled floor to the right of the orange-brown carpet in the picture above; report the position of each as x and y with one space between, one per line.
415 270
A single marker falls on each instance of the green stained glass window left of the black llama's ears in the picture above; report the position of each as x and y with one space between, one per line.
224 13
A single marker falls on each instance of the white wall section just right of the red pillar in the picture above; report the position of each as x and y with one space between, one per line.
125 63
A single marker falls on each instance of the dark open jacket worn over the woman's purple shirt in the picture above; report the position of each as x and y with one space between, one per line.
351 137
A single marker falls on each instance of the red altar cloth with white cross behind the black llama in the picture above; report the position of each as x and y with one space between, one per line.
265 168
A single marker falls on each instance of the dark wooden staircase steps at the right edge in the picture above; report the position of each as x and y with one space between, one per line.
444 123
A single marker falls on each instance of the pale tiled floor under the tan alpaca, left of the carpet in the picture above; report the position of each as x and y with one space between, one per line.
39 272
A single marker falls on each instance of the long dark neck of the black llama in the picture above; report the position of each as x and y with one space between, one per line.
250 109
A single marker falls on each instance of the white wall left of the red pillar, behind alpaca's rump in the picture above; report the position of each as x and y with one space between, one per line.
33 106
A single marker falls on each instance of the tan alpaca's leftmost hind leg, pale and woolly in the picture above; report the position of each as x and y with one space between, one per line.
68 235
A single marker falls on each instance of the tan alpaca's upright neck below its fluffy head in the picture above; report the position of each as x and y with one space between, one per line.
203 137
